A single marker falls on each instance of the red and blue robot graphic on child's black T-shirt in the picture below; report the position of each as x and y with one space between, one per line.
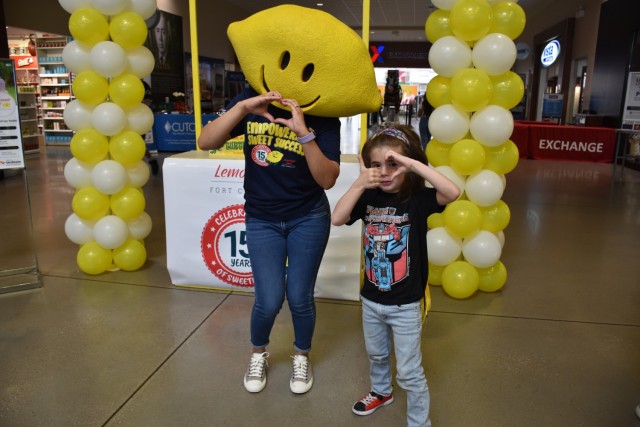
386 254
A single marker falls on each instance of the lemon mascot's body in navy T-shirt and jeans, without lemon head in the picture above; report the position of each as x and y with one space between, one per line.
290 160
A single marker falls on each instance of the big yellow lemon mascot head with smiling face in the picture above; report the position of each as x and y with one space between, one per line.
307 55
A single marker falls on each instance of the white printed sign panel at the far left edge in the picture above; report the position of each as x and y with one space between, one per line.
11 156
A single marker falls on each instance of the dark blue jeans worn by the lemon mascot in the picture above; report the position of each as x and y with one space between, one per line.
285 258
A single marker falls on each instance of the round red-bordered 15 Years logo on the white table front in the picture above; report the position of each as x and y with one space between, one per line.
224 247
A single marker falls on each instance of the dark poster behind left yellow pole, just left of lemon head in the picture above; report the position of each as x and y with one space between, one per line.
211 73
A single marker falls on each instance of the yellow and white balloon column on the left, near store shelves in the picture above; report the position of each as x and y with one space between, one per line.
107 169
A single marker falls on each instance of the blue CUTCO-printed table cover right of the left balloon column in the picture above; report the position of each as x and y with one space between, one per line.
177 132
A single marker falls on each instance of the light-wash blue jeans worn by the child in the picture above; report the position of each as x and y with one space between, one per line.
402 326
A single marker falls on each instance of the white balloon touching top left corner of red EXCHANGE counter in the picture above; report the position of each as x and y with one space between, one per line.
491 125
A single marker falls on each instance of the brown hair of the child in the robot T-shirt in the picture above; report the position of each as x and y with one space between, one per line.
408 141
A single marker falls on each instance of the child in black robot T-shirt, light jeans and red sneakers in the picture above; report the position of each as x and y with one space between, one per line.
391 198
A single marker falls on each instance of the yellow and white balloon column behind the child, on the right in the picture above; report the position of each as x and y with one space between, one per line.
472 53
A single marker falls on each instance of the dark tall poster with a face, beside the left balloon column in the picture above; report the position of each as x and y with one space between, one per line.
164 39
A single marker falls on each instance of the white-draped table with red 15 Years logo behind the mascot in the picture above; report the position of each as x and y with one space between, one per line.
205 230
